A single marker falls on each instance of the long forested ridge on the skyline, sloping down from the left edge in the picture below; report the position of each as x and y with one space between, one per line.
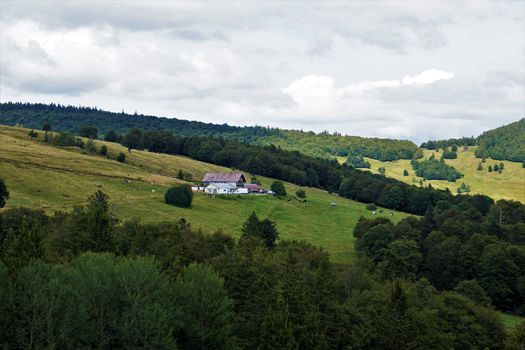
322 145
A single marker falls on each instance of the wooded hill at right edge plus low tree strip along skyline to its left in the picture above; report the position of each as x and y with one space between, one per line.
504 143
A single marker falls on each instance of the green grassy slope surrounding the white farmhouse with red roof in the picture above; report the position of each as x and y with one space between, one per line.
41 176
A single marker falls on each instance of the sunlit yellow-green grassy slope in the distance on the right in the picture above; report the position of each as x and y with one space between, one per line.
508 185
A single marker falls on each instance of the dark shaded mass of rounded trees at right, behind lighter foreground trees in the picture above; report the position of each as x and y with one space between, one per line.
479 252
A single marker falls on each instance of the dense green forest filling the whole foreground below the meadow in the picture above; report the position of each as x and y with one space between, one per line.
84 280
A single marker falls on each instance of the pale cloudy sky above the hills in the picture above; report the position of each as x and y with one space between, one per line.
413 70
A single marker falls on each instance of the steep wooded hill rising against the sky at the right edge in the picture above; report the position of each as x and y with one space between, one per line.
504 143
